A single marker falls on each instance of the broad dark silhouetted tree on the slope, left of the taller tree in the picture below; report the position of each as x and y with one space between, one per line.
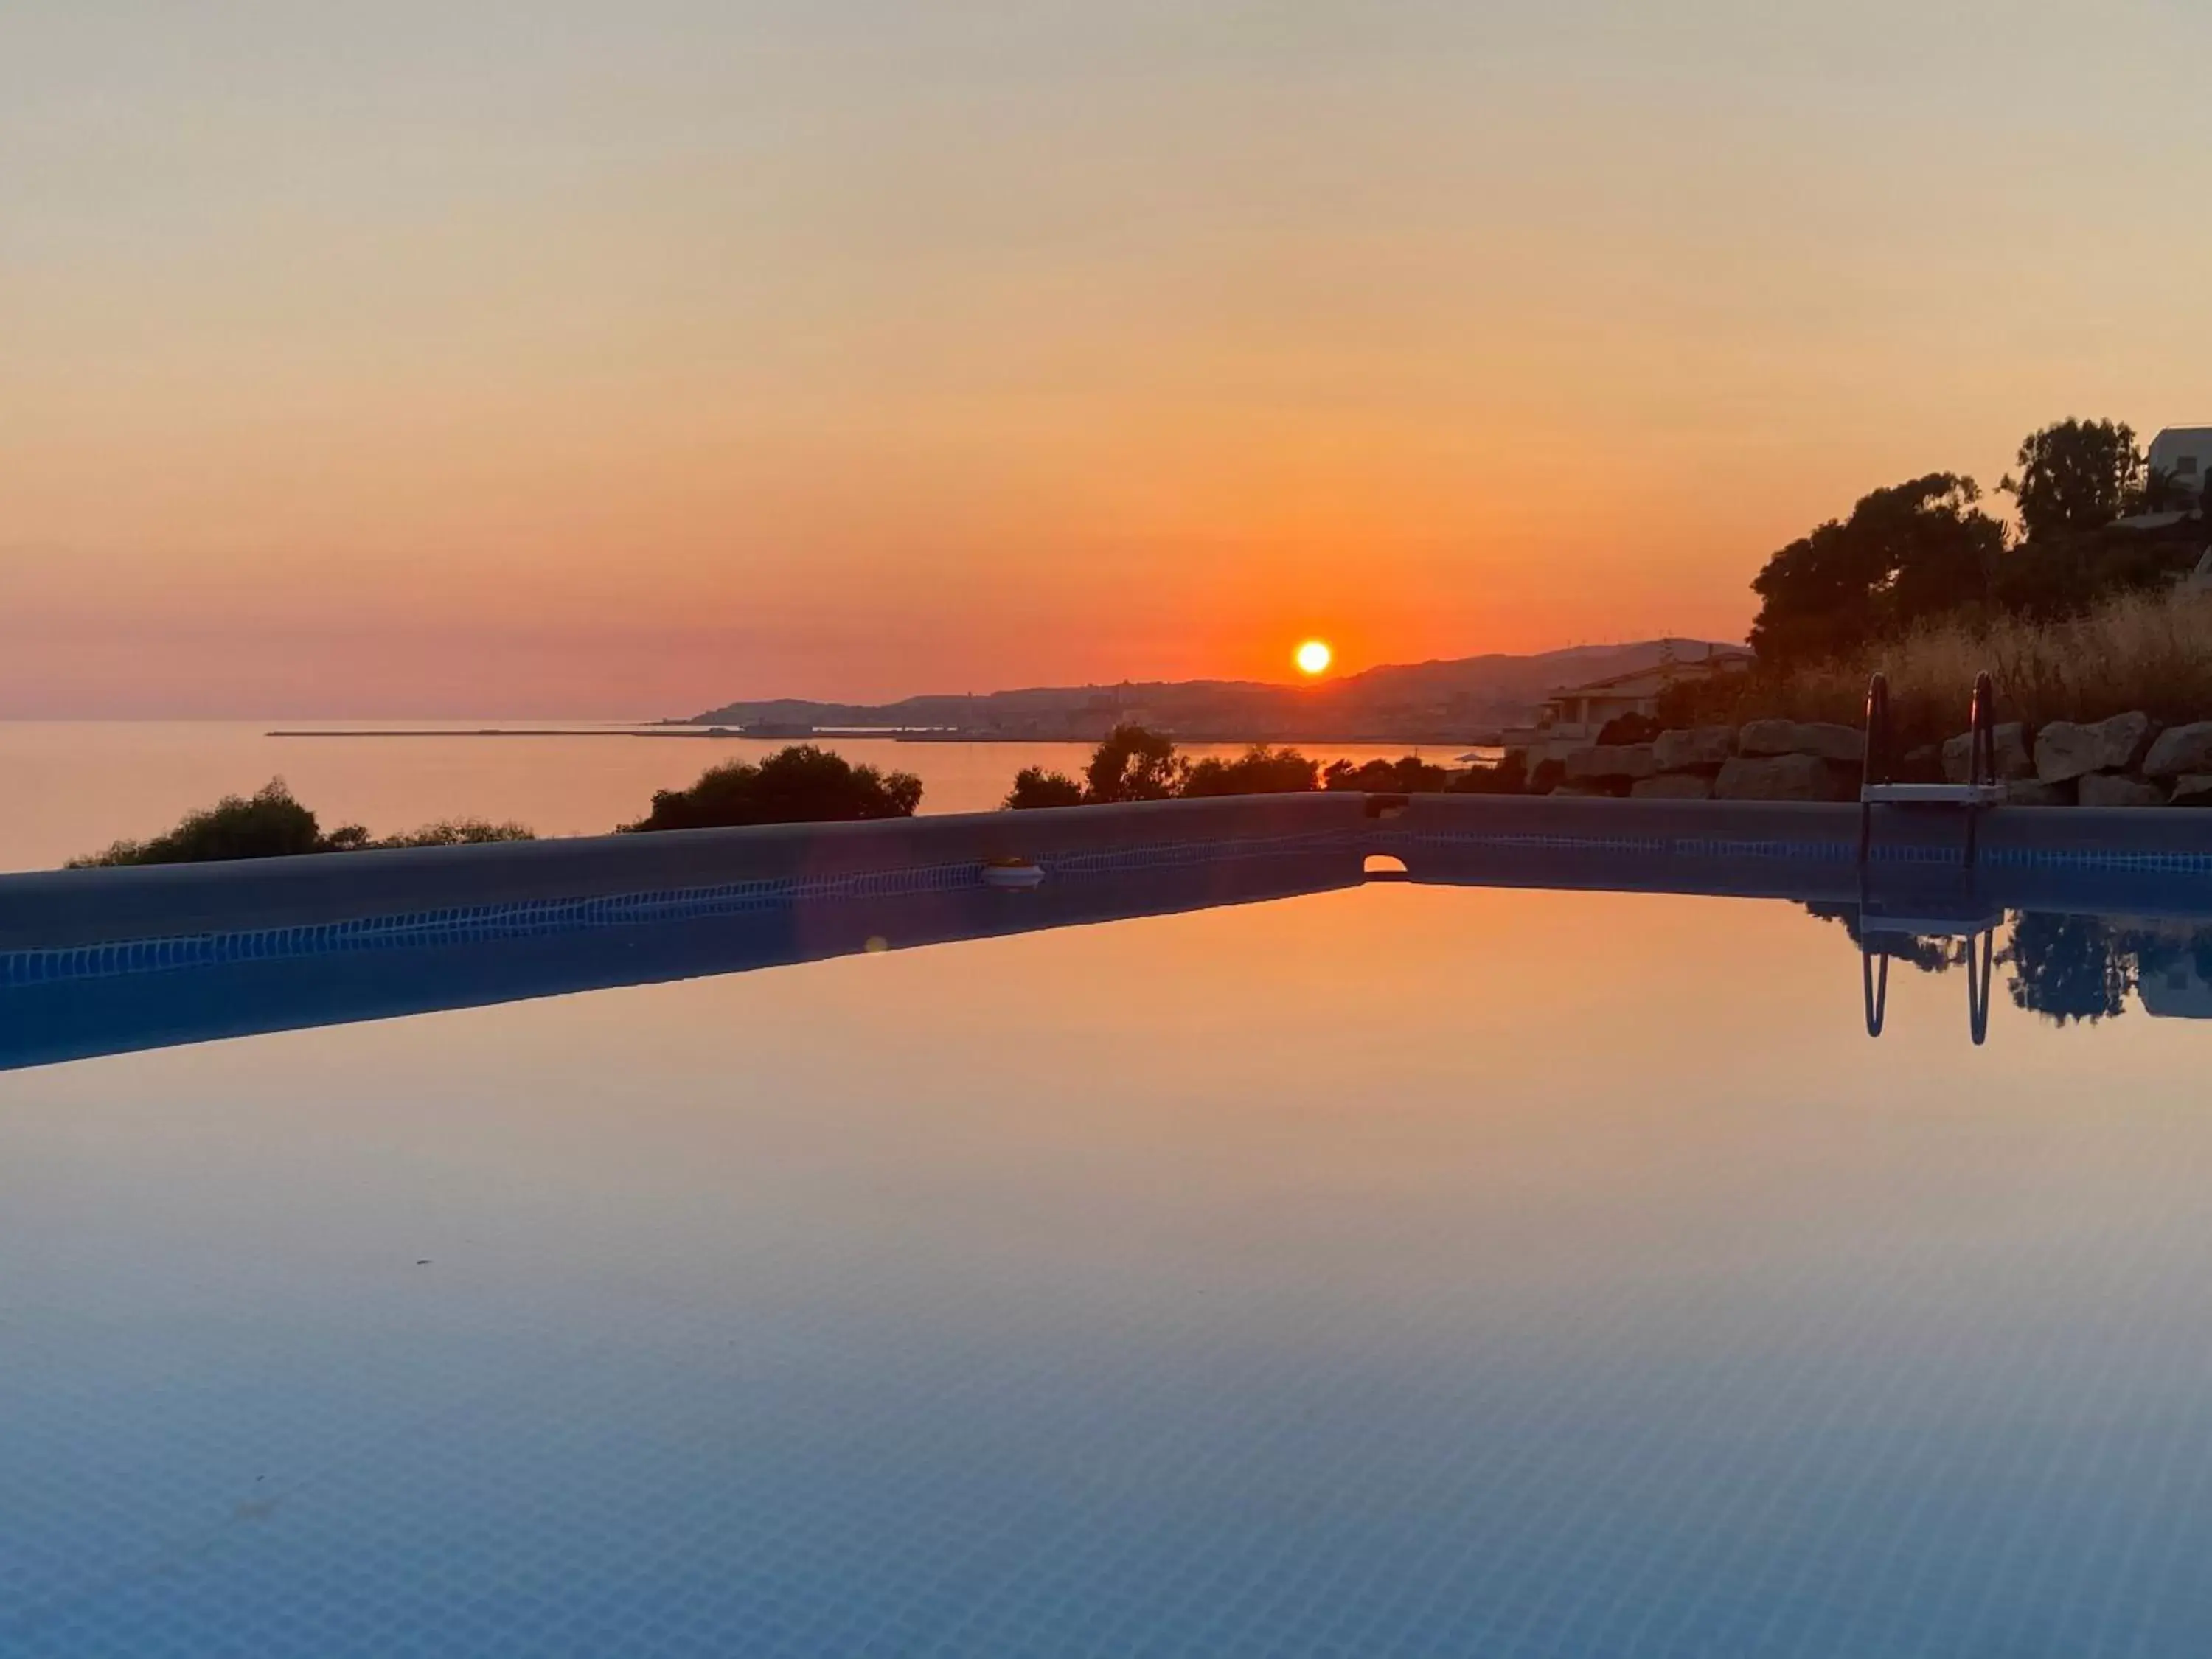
1908 552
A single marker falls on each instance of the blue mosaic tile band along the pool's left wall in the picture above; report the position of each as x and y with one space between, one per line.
552 917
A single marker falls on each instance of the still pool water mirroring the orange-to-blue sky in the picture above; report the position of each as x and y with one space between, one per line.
1386 1271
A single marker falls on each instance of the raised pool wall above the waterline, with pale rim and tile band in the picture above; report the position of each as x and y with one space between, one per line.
1780 851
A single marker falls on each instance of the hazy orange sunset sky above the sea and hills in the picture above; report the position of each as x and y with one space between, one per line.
583 359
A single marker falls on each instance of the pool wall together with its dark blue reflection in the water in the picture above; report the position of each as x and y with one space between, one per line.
103 961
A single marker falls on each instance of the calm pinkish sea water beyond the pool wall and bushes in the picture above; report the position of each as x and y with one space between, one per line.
76 786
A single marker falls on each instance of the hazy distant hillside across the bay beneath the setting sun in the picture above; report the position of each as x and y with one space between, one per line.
1434 702
